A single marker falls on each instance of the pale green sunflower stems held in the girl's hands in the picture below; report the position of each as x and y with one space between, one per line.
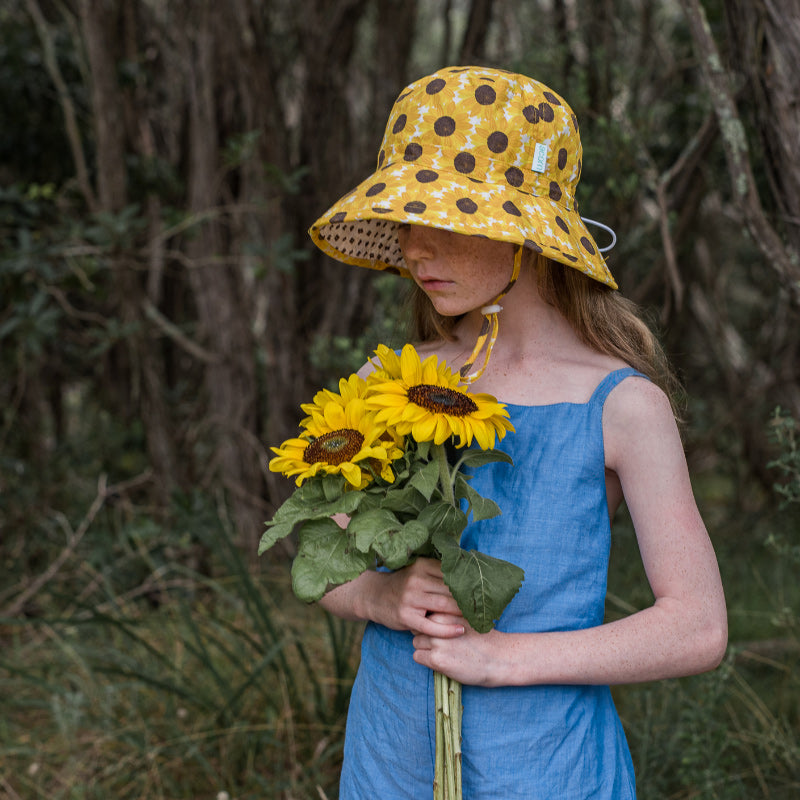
447 692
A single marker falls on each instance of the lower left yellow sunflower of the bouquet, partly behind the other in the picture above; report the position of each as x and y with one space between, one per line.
338 439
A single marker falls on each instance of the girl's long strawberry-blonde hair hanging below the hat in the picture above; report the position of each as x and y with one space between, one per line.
601 317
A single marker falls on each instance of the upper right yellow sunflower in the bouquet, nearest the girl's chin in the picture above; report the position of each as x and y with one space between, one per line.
423 398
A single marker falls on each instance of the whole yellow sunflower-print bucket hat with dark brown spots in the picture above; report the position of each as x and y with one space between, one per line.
477 151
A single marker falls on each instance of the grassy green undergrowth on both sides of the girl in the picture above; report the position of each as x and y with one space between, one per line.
144 656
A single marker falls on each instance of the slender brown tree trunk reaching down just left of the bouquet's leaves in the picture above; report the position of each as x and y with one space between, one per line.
218 291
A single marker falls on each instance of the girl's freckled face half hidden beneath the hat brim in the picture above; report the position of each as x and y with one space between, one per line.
459 273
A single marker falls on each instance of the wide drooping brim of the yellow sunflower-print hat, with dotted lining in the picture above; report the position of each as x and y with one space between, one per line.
361 228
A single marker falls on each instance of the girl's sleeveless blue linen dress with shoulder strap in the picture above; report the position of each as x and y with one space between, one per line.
549 742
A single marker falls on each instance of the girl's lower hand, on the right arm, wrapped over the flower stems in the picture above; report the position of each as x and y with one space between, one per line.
471 658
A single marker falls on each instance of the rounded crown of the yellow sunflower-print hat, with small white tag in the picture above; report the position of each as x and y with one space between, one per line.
489 126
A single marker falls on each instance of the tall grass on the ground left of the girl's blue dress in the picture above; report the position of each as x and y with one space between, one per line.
204 685
